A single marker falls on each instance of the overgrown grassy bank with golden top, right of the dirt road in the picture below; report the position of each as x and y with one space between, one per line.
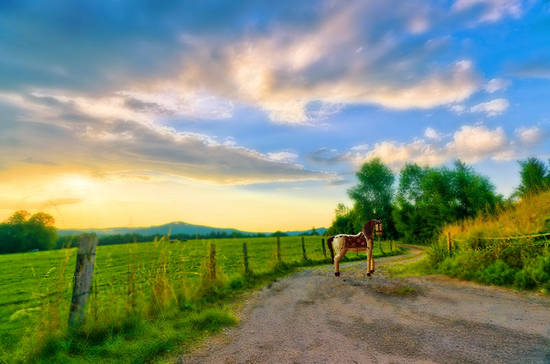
523 263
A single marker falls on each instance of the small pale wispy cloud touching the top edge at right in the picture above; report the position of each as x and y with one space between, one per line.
491 10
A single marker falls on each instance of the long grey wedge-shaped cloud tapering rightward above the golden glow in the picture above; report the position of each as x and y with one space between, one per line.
104 137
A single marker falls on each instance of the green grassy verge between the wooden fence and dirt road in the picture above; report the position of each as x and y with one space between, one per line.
151 323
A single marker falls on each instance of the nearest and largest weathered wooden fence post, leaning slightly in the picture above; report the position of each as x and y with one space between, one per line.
83 278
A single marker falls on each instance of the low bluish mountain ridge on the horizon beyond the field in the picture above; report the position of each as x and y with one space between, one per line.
172 228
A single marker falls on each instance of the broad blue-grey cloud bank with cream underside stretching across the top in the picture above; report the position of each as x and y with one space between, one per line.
197 64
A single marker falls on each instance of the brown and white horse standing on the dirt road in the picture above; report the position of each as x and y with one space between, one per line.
363 241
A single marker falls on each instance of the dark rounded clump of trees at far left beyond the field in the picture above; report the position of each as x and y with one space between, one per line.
23 232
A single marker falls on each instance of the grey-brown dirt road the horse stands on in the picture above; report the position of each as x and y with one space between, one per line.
313 317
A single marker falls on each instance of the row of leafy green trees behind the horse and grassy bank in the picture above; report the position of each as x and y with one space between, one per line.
427 198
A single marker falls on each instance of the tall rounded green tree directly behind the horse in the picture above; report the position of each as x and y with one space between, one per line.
373 194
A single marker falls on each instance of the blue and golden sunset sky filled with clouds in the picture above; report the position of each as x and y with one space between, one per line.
256 114
